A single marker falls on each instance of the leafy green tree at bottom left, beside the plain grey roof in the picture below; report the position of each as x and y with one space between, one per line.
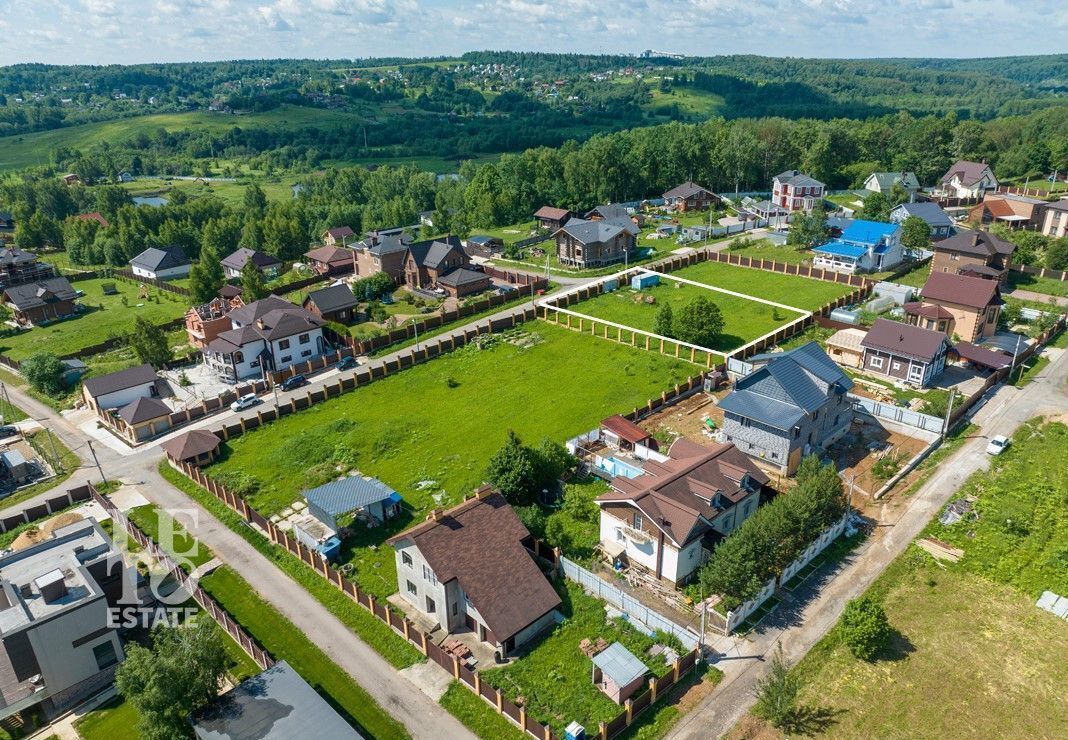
178 676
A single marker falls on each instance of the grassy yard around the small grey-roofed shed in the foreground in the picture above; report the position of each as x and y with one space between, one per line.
555 678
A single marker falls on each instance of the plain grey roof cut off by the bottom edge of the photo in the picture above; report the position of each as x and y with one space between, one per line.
275 704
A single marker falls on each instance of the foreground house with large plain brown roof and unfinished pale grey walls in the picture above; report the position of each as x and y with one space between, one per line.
466 569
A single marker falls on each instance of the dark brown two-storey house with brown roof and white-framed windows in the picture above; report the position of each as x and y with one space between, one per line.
906 353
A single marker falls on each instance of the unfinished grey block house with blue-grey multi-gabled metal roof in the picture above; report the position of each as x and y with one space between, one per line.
792 404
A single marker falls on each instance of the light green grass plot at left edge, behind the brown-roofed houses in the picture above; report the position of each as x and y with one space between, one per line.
105 317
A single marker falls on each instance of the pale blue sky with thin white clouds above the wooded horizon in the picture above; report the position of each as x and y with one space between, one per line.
136 32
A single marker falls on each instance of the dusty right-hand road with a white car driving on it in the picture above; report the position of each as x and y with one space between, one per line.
815 609
